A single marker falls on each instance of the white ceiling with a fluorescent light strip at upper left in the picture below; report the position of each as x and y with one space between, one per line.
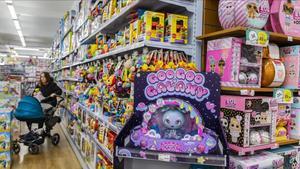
39 20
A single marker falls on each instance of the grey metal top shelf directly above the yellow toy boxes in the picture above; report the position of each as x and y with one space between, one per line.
118 20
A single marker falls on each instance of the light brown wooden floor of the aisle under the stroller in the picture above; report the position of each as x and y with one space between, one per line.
50 157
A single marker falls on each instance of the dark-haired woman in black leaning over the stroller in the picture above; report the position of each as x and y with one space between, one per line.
46 91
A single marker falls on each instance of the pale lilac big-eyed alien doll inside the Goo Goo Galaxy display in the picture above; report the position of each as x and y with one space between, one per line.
173 121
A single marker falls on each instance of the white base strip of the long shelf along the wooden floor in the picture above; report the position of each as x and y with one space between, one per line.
74 148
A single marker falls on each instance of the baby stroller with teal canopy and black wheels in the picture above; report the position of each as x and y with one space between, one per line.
30 111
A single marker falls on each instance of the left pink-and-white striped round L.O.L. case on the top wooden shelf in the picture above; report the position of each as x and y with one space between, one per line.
250 13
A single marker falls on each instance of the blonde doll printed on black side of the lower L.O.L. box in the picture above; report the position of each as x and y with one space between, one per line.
235 128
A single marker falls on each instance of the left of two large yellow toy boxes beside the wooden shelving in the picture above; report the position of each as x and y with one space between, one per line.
153 26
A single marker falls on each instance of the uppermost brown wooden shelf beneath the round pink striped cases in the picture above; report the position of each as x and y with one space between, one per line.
280 39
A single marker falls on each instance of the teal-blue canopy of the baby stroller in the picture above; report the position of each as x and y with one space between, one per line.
29 108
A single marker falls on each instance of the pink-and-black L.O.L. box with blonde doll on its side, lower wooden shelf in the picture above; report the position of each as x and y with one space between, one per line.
249 122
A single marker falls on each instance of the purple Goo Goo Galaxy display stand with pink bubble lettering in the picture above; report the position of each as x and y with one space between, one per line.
185 121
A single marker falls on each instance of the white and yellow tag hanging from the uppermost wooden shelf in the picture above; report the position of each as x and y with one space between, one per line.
257 37
